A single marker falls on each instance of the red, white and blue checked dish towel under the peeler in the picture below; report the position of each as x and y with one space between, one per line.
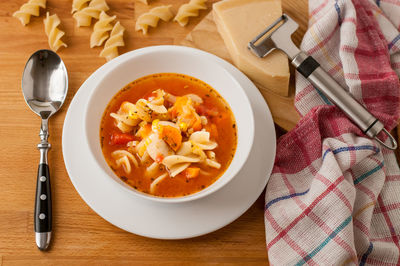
334 195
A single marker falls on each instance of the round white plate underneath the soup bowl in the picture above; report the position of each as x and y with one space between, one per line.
160 220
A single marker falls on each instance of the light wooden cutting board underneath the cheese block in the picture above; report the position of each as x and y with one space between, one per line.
205 36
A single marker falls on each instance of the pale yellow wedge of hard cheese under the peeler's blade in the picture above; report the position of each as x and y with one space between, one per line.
240 21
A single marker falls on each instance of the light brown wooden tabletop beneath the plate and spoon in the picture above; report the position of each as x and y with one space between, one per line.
81 237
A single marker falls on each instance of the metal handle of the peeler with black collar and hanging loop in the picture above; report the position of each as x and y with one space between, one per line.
369 124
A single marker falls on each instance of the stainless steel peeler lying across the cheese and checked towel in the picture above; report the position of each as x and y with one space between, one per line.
278 36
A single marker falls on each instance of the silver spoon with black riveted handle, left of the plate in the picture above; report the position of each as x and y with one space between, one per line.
45 86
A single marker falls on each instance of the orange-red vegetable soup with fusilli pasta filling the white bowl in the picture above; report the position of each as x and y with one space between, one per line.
169 135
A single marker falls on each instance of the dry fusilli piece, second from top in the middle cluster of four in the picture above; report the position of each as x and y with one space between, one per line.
84 16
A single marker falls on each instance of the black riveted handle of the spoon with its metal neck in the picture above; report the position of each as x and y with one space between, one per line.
43 216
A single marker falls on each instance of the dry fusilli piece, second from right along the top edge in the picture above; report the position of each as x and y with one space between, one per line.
152 17
